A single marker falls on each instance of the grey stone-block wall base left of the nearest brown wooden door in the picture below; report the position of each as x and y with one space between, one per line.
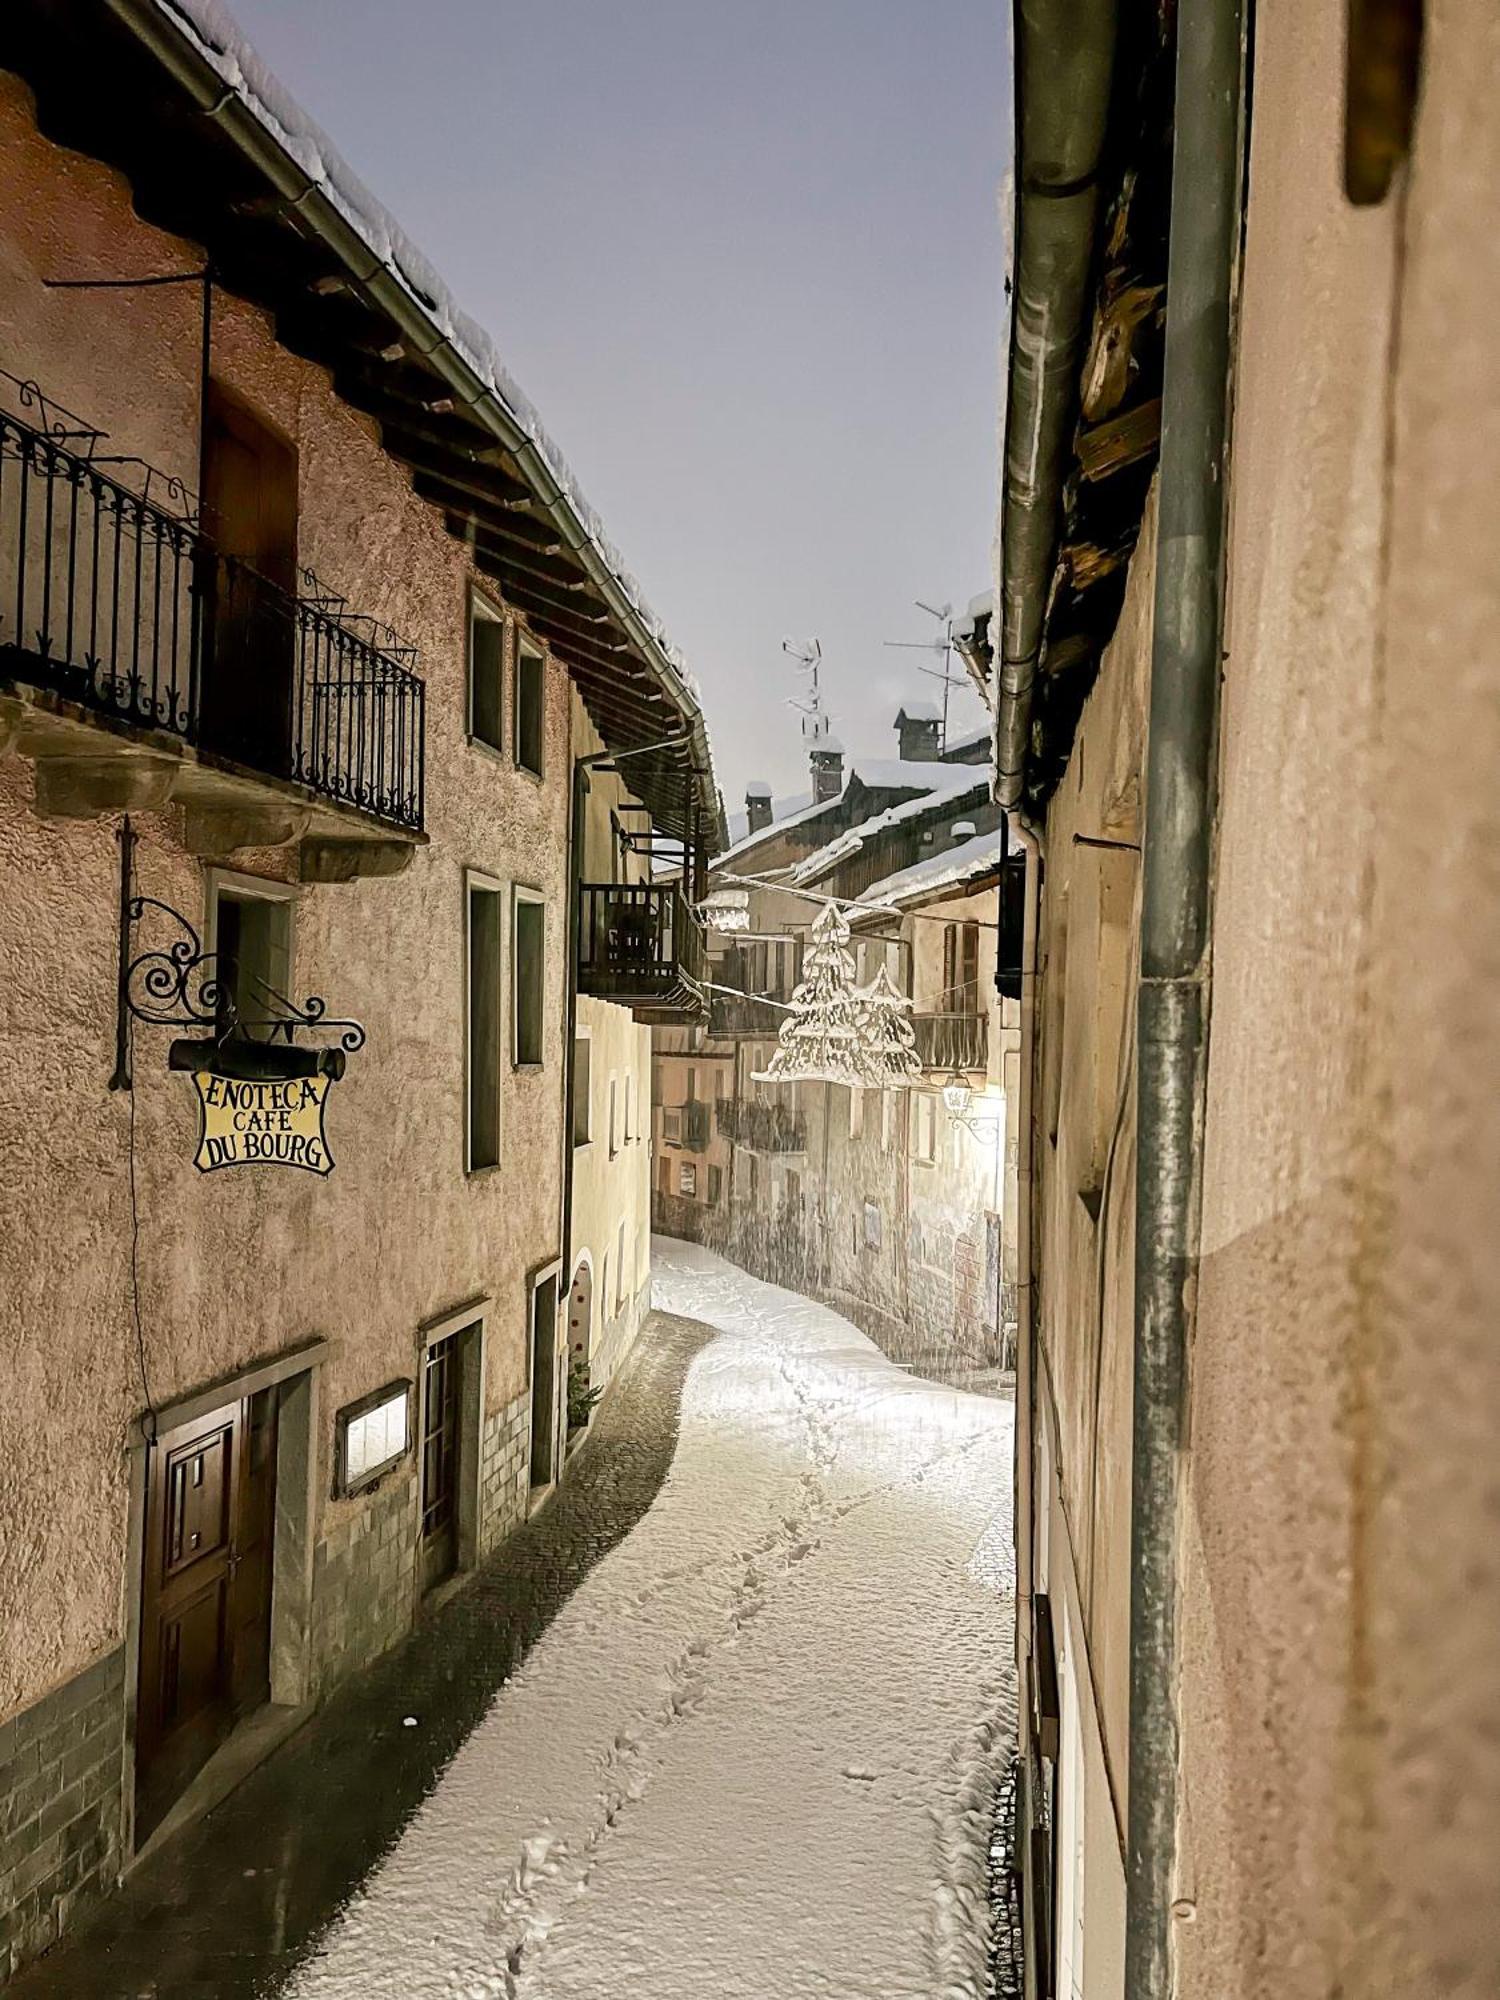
61 1773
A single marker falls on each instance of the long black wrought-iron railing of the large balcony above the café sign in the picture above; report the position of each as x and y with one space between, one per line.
125 607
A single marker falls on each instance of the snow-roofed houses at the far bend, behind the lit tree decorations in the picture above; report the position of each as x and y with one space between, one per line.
885 1203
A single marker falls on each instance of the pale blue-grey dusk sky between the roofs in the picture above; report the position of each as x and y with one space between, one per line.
747 263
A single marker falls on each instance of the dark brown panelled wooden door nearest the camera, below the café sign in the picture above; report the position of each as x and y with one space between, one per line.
205 1631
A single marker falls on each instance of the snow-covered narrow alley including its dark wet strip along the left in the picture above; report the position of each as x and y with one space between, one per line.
729 1717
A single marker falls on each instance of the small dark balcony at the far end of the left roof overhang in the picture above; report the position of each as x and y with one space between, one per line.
641 945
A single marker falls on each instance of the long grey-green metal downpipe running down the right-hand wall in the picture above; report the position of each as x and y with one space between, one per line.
1177 935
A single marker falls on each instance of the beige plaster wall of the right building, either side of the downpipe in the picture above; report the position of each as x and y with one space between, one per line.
1339 1577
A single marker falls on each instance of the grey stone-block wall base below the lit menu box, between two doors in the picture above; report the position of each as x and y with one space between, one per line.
363 1583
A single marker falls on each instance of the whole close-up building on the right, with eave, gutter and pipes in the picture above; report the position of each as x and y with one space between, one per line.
1247 675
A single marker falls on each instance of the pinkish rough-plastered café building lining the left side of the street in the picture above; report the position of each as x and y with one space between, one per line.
313 661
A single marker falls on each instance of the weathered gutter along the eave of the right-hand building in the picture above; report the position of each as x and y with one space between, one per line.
1065 67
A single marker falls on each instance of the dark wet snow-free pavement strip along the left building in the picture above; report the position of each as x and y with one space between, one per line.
239 1899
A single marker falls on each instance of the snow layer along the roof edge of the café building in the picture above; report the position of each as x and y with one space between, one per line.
229 53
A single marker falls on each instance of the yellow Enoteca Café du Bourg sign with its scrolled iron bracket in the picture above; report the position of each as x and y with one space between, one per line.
263 1093
